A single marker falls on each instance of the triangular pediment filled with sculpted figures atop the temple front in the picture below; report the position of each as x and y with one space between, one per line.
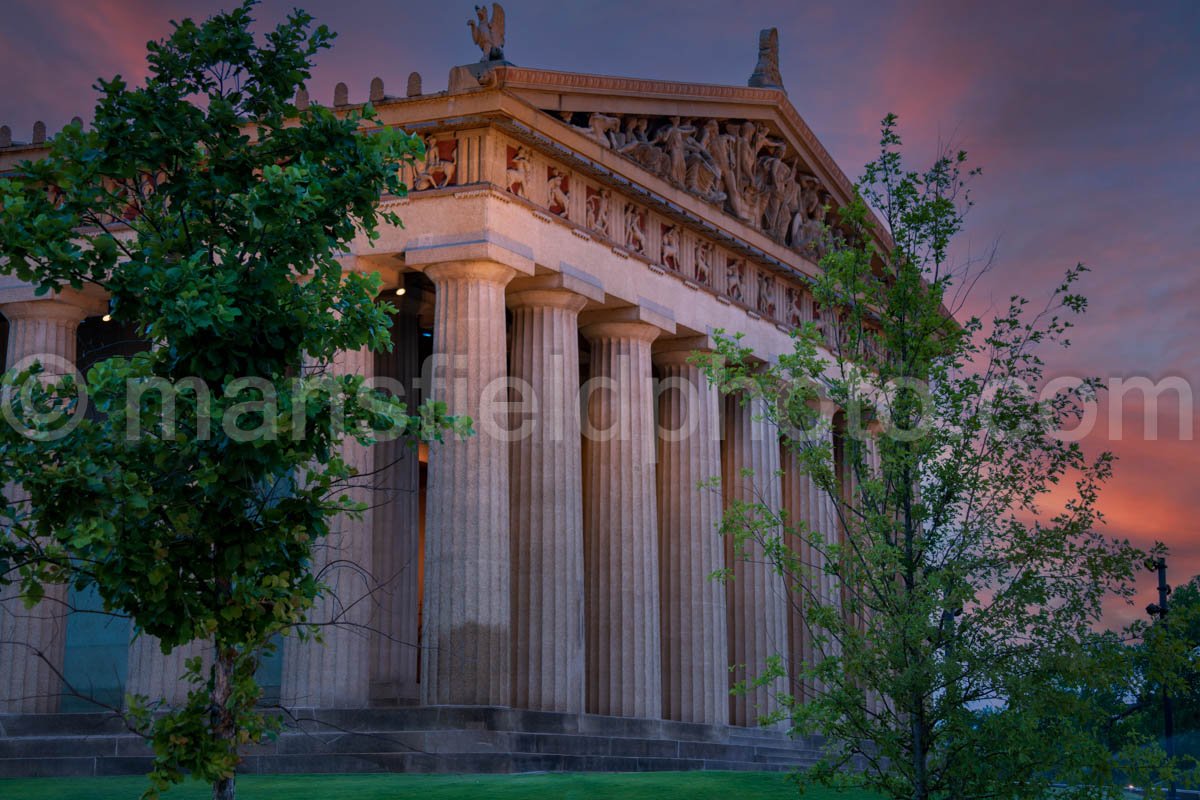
739 149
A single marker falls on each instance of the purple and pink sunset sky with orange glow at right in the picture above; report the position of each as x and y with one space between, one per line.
1085 118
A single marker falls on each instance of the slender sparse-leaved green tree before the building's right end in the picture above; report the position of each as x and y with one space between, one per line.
958 657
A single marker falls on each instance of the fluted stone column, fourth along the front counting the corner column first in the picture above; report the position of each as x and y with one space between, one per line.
695 647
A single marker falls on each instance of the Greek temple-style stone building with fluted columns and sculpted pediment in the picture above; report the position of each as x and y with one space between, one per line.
563 230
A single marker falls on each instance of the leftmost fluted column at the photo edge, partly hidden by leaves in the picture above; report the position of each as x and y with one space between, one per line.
33 641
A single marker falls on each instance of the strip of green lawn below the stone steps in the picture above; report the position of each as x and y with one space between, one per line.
644 786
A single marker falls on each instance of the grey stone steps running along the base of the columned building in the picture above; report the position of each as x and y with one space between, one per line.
421 739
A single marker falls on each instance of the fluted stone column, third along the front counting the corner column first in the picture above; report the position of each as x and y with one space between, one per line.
625 675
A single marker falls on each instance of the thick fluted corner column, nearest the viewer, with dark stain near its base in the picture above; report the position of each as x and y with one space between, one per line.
466 649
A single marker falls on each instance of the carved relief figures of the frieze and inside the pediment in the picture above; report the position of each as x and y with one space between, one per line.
706 160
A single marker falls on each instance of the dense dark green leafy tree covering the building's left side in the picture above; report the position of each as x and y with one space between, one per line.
212 213
